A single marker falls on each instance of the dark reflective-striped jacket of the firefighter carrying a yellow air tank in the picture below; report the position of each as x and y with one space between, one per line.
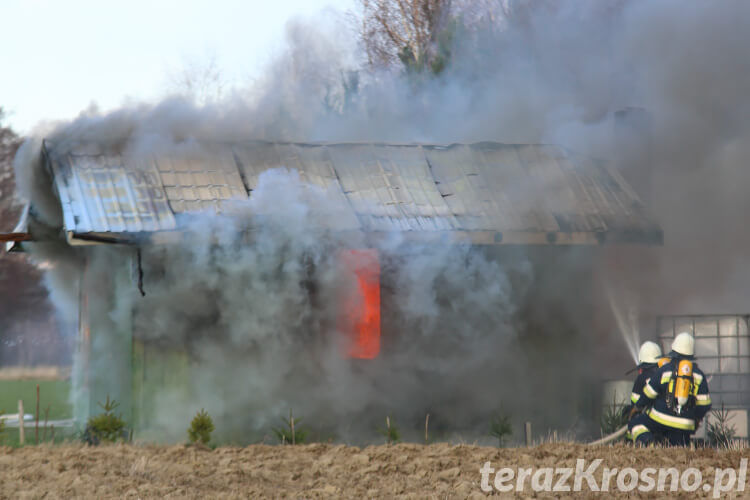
661 384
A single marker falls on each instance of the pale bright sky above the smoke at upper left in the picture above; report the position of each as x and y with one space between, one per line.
60 57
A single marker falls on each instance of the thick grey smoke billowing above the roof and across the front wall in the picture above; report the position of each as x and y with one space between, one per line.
253 298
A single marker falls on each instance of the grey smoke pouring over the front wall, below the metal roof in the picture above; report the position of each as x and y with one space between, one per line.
258 312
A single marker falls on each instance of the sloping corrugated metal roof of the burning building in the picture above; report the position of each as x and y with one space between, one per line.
494 193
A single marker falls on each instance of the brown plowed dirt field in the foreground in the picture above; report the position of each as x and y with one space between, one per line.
323 471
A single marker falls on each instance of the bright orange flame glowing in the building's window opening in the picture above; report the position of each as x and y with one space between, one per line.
360 320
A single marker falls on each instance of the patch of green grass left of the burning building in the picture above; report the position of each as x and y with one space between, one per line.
54 393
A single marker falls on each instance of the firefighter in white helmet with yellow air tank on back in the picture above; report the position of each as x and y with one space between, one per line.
674 400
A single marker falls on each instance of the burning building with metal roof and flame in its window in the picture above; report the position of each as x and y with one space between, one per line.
346 281
